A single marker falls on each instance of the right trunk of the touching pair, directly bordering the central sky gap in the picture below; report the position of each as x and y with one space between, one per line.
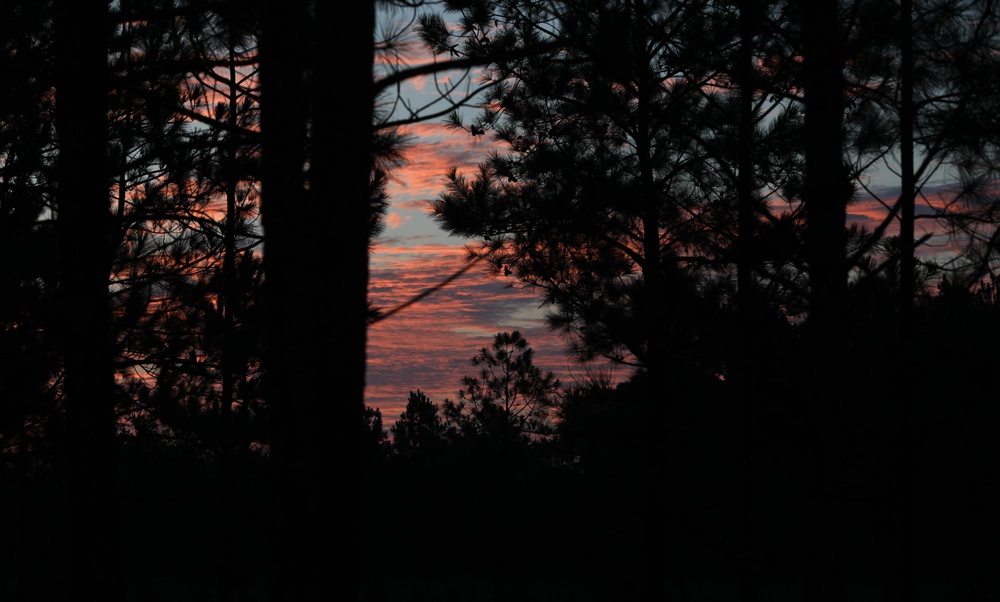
342 189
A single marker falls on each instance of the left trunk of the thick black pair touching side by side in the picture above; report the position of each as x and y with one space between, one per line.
288 366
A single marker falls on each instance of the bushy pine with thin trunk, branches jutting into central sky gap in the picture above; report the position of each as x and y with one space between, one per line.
608 203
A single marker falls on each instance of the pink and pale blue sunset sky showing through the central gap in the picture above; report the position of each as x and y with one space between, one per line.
428 346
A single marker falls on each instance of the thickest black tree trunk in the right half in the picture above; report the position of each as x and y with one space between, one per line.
826 192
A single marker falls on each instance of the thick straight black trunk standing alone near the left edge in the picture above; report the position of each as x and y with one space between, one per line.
83 224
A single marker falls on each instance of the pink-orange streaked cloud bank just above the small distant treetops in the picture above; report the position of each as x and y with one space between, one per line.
429 345
